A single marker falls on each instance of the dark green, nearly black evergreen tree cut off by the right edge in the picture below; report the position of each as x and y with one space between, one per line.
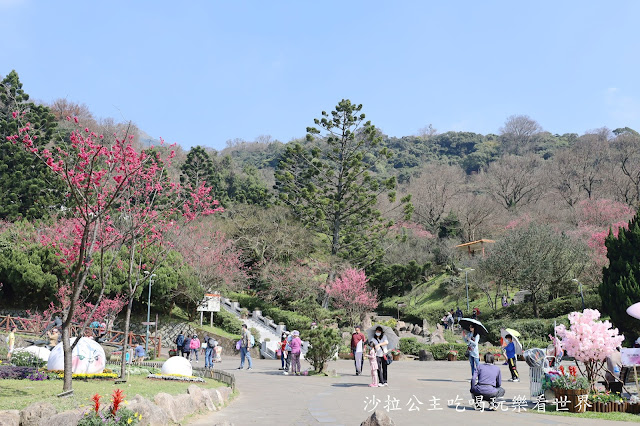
620 288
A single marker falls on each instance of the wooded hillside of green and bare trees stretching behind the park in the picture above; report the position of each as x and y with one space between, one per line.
302 214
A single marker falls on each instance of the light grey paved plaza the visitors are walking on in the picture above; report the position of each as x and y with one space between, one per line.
267 397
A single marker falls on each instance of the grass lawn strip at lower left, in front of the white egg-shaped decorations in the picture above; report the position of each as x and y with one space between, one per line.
18 394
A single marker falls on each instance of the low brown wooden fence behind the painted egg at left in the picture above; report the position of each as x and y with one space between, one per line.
111 337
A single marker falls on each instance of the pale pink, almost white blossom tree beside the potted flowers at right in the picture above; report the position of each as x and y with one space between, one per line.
589 341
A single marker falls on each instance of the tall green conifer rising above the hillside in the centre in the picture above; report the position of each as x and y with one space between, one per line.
329 184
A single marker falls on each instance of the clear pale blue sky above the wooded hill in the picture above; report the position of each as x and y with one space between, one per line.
203 72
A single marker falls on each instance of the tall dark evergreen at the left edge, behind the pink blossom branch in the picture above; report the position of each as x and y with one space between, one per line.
27 187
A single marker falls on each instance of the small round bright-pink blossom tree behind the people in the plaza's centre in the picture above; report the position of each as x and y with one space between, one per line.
350 292
